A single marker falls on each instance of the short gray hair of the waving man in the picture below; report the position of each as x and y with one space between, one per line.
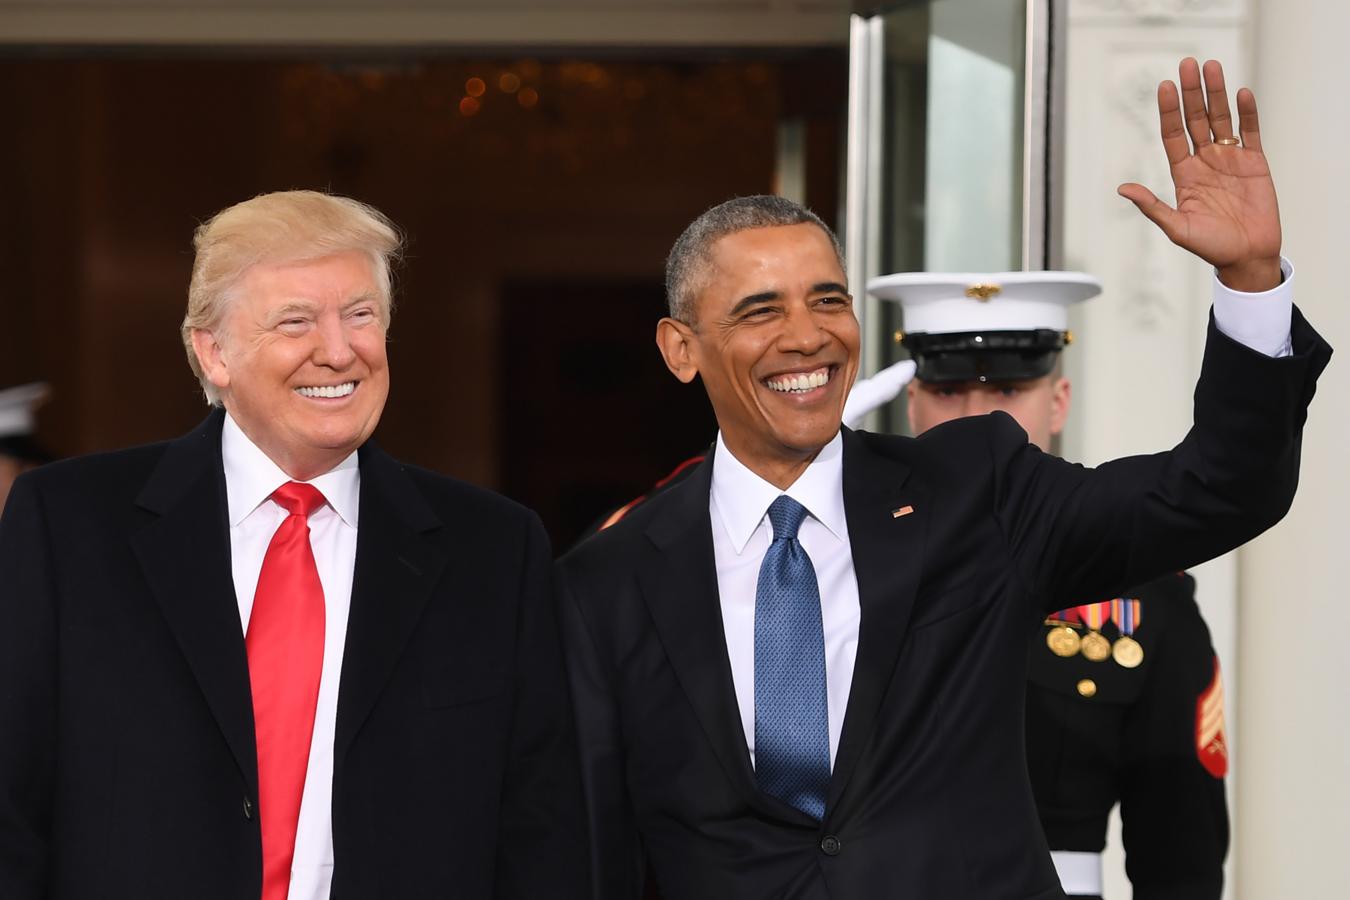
686 268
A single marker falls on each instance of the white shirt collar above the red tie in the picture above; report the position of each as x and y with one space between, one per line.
252 477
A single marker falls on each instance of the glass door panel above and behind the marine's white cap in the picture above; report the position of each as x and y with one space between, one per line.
940 161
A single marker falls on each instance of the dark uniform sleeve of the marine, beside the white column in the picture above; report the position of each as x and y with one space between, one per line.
1172 808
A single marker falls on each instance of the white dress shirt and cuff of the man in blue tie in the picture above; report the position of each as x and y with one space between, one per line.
742 534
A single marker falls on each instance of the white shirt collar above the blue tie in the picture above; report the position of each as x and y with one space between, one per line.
743 499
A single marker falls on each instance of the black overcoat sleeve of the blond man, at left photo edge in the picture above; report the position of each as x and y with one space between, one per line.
28 696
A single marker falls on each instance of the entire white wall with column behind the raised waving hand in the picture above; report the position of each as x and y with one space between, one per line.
1275 608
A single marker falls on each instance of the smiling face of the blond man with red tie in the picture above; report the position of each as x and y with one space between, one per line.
299 358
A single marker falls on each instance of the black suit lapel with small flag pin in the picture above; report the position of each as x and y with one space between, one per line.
888 546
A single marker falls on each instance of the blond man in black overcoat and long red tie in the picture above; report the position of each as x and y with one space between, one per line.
267 660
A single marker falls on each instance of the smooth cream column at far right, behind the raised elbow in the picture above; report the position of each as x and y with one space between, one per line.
1294 836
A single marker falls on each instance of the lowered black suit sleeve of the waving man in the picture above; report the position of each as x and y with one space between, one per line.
616 855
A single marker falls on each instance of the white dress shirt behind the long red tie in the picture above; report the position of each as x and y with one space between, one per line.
250 480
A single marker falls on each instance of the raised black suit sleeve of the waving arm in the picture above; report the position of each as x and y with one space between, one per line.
1078 532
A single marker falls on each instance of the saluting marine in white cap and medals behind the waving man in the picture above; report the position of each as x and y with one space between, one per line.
1125 700
